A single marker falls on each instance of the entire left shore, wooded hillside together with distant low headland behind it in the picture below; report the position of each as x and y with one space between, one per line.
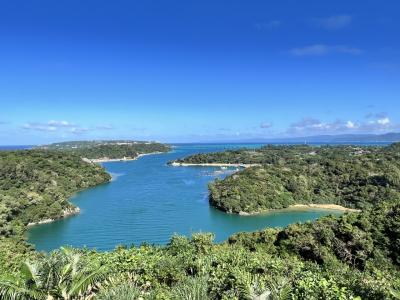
36 184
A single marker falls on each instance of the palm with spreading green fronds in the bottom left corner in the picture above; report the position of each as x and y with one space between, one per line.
61 275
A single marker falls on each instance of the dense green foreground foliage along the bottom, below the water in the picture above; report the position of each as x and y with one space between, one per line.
349 257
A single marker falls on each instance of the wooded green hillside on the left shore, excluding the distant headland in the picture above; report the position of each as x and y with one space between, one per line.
35 185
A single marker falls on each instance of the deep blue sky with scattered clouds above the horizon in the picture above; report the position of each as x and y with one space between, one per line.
187 71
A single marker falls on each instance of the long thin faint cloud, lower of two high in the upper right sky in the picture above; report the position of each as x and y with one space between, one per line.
321 49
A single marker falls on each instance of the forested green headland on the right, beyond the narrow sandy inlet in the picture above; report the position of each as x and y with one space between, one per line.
354 177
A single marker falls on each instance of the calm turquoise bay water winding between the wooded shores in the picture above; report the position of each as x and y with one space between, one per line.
148 201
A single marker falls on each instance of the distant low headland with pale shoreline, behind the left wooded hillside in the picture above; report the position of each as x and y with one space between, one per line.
108 149
